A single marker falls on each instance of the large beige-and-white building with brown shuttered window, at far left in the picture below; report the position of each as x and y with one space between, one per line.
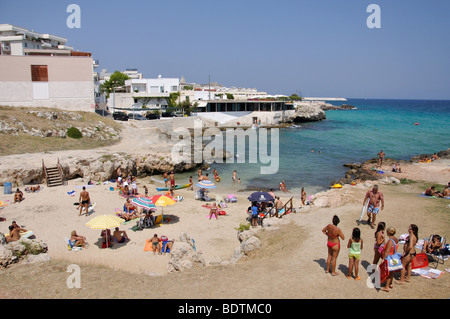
40 70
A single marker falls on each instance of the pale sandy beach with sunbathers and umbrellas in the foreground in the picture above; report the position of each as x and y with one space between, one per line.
292 256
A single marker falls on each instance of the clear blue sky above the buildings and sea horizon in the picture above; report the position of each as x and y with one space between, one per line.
316 47
